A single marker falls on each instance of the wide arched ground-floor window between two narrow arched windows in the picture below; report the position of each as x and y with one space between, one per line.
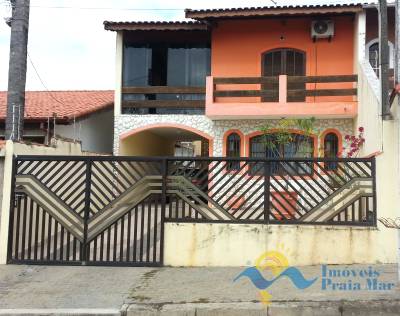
269 146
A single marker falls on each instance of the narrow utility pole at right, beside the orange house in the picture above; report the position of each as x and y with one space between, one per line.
384 59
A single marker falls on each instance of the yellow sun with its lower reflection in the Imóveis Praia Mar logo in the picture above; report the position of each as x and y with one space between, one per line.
274 261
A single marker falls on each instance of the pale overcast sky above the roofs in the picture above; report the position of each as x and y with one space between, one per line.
69 47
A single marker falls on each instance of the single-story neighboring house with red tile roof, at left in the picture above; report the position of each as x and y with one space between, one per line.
85 116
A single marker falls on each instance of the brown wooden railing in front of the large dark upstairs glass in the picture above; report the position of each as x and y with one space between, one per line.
152 97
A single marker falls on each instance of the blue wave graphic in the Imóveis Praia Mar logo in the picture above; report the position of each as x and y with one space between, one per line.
261 283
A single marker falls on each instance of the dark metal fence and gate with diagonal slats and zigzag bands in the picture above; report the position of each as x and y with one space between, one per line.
112 210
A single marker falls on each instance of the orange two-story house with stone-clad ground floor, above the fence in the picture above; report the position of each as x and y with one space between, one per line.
215 79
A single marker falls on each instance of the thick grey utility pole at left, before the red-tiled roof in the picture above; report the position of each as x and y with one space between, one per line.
17 69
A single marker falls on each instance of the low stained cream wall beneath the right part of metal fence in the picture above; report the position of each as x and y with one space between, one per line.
241 244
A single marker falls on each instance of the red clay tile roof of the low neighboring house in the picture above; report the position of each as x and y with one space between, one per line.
39 105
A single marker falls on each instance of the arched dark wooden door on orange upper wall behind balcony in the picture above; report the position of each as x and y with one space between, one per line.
284 61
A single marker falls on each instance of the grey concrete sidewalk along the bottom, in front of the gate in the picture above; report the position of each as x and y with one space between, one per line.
80 290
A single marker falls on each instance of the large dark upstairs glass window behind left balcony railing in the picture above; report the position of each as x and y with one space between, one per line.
162 64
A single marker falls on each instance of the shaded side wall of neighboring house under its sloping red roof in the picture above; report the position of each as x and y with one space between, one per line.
95 132
